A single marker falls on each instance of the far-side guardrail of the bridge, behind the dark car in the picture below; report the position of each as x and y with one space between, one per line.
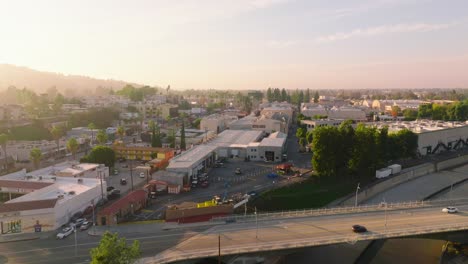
339 210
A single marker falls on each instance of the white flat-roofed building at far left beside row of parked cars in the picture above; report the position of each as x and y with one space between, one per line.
46 201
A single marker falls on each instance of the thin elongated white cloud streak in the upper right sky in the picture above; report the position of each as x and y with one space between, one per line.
381 30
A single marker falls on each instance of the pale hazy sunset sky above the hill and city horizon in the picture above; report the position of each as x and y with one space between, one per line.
243 44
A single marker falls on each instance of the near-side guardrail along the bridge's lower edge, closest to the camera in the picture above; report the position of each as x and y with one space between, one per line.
178 255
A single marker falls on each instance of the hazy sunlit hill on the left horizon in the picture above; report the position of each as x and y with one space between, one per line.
40 82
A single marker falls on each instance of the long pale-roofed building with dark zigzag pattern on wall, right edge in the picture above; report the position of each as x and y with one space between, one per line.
433 136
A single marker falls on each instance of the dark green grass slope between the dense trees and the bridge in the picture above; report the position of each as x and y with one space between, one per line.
307 194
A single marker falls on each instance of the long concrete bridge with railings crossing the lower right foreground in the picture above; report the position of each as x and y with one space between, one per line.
309 228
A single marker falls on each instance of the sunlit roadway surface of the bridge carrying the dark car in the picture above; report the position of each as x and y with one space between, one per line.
241 237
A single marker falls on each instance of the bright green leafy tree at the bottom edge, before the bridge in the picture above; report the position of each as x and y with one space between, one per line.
114 250
